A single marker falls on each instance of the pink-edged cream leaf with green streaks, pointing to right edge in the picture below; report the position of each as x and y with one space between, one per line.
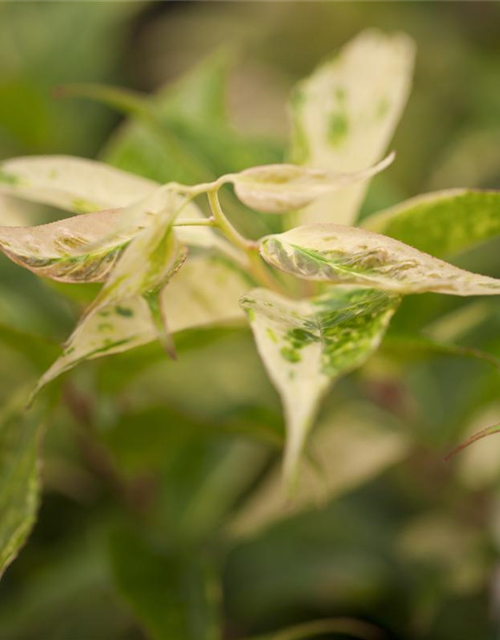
347 255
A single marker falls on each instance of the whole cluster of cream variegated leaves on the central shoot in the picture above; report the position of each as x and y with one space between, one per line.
318 296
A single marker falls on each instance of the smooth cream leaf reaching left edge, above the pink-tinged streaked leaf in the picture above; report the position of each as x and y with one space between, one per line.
72 184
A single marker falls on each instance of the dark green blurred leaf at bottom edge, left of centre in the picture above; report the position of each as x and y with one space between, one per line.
172 593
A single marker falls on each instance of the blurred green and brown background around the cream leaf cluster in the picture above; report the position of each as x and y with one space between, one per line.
162 516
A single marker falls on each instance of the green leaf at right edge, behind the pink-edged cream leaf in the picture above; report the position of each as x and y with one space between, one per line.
441 223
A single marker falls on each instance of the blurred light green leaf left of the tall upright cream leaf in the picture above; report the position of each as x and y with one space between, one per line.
182 133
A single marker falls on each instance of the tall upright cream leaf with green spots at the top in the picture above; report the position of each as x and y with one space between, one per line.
344 115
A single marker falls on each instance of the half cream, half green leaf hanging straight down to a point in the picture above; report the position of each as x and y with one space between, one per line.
306 344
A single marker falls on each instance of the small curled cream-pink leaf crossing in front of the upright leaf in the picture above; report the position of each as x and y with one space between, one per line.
279 188
